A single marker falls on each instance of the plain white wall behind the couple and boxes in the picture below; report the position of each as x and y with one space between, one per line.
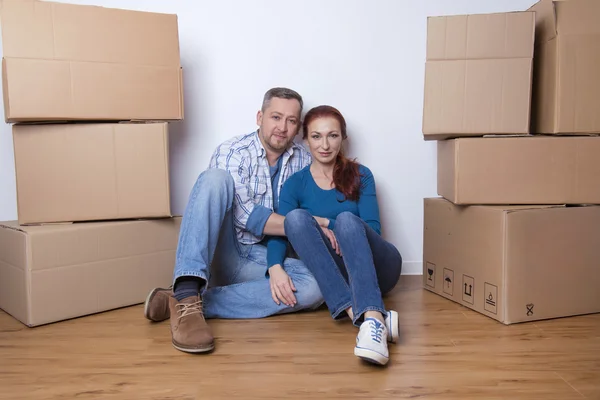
366 58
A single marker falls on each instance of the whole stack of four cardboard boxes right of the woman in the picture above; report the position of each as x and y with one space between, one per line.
511 100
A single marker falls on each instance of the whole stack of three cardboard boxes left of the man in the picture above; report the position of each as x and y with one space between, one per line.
90 92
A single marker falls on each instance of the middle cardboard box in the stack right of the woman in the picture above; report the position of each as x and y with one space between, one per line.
520 170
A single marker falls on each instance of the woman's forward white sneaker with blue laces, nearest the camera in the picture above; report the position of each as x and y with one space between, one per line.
371 343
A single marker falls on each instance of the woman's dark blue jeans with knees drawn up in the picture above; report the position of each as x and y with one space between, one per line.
368 268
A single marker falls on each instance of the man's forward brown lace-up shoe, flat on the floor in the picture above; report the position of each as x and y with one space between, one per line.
189 331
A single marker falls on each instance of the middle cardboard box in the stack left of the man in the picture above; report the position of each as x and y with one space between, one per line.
87 172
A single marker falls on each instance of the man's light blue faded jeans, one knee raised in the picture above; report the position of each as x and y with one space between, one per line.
238 286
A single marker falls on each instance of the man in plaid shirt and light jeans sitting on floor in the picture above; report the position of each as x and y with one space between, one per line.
221 261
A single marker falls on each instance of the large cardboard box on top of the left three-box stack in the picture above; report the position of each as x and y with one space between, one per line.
72 62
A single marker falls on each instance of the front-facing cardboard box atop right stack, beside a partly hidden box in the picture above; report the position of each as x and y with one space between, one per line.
478 75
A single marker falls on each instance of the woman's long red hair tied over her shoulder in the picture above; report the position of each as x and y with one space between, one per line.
346 176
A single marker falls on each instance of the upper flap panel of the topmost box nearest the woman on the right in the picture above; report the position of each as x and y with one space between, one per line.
481 36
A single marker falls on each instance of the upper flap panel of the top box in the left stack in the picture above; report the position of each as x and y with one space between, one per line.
46 30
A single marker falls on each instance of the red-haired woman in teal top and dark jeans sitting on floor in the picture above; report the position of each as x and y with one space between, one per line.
351 262
